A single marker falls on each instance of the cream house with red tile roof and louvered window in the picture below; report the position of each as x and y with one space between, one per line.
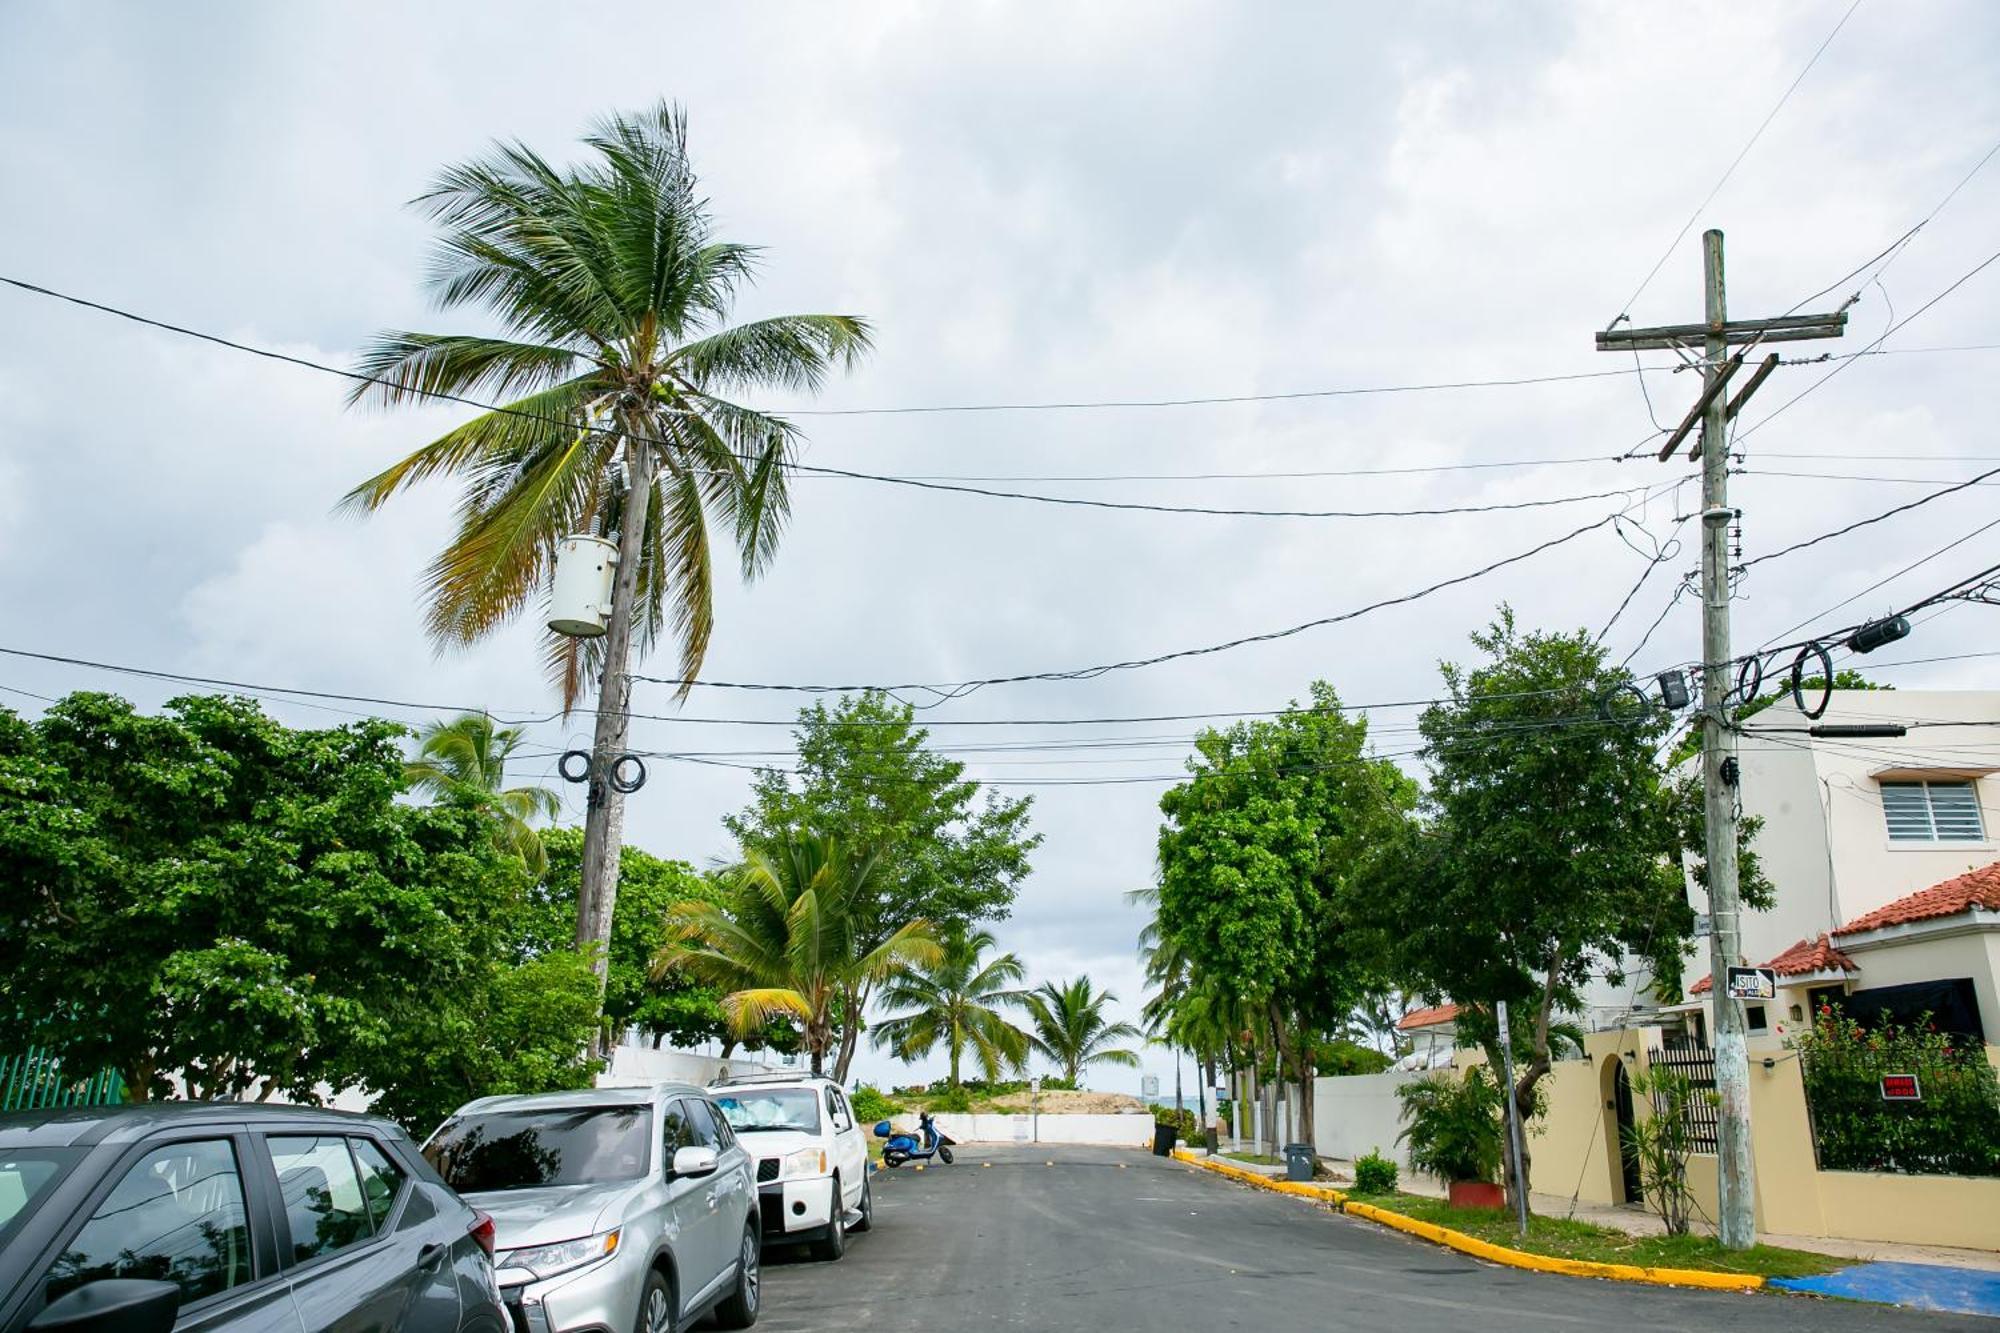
1883 856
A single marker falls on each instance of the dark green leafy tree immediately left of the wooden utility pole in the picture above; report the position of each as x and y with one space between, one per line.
1551 846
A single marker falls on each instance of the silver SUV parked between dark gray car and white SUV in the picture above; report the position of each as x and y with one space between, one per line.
615 1208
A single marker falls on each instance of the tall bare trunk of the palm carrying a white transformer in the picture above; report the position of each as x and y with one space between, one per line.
605 806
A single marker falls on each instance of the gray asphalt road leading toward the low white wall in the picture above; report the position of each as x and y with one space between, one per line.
1117 1240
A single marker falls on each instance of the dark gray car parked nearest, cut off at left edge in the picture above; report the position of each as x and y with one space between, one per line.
229 1216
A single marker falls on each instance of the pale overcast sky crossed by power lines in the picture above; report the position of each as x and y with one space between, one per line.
1033 203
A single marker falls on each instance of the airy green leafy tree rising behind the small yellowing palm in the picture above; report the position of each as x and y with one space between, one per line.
867 778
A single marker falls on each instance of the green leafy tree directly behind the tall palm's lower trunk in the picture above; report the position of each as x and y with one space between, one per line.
675 1010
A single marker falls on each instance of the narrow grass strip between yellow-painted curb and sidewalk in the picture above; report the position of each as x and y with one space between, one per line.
1563 1238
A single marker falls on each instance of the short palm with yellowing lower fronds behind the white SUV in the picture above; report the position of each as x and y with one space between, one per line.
787 940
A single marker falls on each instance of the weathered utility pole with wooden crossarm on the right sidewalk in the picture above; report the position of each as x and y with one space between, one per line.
1721 776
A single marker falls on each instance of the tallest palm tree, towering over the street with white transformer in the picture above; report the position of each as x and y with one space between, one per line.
615 363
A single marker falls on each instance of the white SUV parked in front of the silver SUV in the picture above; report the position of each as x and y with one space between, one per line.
811 1158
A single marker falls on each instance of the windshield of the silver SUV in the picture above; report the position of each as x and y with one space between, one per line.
527 1150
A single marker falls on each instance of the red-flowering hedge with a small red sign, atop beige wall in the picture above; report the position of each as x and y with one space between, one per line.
1955 1130
